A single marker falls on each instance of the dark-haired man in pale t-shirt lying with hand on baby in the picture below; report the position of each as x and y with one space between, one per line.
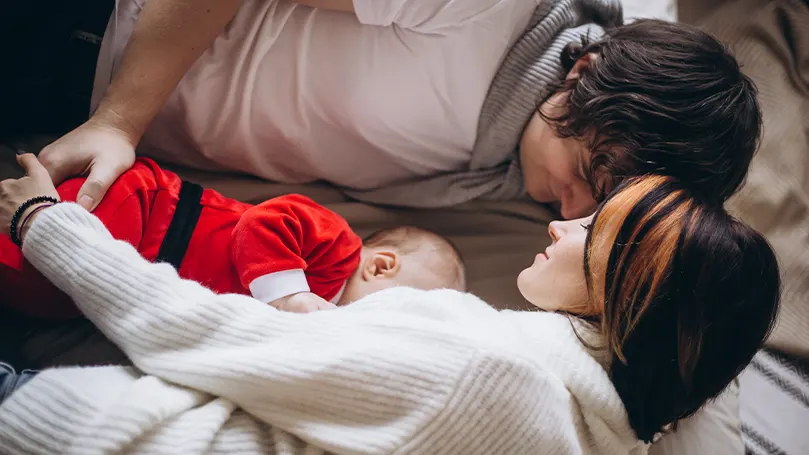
408 102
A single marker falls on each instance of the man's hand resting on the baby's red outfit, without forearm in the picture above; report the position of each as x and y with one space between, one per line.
102 153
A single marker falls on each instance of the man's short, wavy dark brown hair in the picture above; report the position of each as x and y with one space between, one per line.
661 98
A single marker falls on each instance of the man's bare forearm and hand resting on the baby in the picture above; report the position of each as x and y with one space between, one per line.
168 38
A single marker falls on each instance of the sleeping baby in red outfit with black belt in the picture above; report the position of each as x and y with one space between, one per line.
288 251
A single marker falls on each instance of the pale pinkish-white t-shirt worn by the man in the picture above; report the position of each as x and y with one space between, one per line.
296 94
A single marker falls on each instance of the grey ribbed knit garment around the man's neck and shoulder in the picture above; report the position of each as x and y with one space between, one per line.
530 70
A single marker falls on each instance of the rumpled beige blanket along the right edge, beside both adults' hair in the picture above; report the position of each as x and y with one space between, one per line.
771 41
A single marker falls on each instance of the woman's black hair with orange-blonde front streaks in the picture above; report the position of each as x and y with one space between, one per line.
689 295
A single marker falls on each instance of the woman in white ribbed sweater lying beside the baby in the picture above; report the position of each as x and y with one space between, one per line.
674 295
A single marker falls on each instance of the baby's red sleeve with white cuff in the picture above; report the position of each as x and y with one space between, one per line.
292 233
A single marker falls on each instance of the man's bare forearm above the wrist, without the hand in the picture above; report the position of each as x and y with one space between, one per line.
168 38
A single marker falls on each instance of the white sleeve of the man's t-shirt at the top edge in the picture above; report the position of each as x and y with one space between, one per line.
421 14
